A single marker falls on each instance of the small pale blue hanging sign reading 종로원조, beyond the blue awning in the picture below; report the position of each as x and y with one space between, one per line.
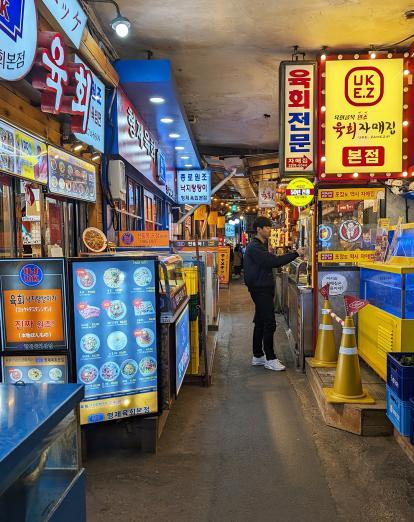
194 187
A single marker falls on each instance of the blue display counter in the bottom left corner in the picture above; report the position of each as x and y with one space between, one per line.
40 466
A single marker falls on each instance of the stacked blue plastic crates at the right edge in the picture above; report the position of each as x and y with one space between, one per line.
400 389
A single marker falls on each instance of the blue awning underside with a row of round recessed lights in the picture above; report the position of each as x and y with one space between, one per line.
146 79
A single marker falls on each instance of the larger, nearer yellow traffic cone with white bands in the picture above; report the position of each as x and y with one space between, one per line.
348 386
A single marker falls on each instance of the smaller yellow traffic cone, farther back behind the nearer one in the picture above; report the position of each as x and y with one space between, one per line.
325 353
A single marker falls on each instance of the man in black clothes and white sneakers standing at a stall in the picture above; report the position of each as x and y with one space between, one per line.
258 276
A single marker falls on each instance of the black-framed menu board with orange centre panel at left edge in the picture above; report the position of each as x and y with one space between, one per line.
33 331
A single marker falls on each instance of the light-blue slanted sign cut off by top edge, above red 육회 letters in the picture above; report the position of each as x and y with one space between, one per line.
70 16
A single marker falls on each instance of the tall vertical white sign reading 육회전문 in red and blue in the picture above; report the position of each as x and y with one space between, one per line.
297 102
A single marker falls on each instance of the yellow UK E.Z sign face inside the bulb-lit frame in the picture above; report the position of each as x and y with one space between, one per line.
364 114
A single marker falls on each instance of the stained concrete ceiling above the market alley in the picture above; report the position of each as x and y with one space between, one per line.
226 53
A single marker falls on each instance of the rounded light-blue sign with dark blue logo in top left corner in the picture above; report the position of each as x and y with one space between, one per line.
18 38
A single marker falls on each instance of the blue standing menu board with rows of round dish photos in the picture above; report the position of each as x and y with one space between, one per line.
115 337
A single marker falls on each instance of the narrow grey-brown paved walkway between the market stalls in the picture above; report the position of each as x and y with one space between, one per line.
250 448
